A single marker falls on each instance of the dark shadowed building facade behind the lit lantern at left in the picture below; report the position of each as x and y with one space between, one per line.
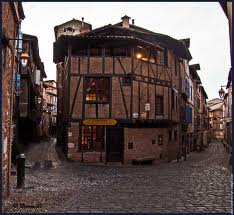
30 99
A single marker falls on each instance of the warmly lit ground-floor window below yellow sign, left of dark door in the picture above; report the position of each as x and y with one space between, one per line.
92 138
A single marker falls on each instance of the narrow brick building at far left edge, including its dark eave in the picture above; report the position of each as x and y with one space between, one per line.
12 14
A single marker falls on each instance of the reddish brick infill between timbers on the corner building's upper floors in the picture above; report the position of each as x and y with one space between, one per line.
118 110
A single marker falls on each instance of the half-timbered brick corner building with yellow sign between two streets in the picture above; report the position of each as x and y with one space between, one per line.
119 90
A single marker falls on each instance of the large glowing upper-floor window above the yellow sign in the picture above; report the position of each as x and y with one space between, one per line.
97 90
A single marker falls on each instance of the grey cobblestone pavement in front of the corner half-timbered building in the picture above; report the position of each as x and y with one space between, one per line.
200 184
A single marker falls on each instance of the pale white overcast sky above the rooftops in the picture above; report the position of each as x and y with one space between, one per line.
204 23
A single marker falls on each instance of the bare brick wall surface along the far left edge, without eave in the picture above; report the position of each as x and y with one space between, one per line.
9 28
